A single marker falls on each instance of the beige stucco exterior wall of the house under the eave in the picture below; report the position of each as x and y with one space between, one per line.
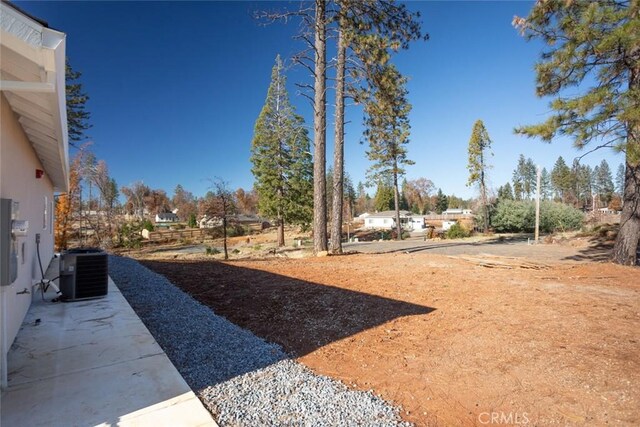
18 162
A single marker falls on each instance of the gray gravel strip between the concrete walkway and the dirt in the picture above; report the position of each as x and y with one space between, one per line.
242 379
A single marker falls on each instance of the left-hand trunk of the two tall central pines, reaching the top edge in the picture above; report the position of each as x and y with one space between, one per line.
319 131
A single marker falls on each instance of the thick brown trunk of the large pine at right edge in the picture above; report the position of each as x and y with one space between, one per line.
625 250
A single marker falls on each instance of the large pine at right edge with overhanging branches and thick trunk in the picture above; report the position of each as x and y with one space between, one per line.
593 42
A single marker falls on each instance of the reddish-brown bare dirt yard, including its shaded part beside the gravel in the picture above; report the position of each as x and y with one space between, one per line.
455 340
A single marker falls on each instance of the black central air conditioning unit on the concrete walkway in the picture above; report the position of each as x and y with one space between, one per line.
84 274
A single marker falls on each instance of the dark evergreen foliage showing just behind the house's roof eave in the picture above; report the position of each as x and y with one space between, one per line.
77 115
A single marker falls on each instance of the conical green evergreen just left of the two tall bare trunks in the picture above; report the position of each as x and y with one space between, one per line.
280 156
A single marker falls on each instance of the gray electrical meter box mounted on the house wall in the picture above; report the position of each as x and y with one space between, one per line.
11 228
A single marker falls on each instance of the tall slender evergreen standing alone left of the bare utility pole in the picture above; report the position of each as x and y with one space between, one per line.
479 147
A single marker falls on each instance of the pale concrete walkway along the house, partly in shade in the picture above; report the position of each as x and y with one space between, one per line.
90 363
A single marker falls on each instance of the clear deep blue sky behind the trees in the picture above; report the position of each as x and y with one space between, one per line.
176 88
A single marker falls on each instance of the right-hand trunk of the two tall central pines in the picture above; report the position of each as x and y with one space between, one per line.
338 151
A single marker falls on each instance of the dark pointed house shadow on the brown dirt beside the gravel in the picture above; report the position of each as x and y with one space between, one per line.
300 316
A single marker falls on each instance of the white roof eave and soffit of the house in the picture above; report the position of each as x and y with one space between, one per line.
32 78
